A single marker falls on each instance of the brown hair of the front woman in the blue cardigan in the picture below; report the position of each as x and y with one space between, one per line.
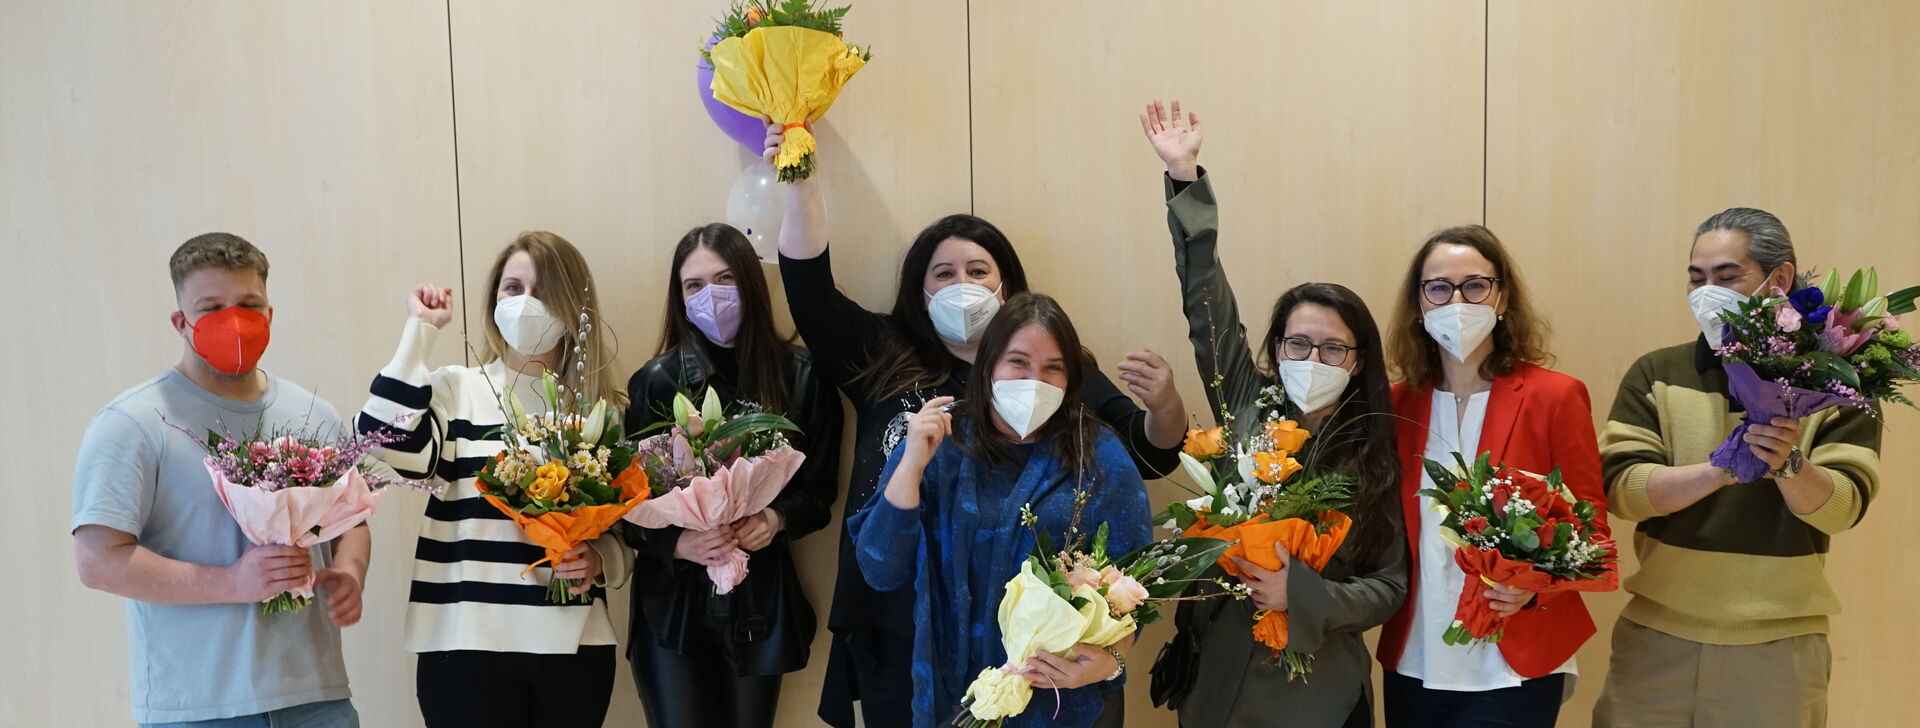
1072 429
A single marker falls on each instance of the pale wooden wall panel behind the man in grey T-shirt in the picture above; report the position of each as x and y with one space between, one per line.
316 130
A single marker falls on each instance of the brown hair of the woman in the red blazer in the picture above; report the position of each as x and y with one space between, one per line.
1518 337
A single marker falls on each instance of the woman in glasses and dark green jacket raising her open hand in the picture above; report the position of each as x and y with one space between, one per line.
1326 352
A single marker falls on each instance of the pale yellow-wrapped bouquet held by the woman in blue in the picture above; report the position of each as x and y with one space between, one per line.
1074 596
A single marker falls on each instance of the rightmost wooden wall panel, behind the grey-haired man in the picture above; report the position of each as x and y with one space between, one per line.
1616 128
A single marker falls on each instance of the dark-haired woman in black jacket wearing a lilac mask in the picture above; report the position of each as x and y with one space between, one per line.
708 660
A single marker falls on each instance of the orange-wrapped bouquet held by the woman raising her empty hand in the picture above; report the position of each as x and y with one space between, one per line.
1257 497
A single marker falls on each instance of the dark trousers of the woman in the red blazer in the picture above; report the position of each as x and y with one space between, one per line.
1533 704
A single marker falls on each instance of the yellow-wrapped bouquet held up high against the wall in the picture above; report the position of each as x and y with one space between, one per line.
784 62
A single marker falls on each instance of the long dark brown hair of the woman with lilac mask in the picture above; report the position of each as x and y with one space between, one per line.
759 349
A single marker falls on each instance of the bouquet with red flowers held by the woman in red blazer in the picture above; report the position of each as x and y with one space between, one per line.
1516 529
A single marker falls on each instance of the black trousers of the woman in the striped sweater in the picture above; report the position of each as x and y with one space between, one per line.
514 691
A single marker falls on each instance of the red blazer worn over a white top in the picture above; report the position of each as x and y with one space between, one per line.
1537 420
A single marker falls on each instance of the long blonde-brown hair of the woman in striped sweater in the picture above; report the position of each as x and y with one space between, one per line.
567 289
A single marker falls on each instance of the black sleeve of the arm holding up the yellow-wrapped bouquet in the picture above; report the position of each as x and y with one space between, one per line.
834 328
